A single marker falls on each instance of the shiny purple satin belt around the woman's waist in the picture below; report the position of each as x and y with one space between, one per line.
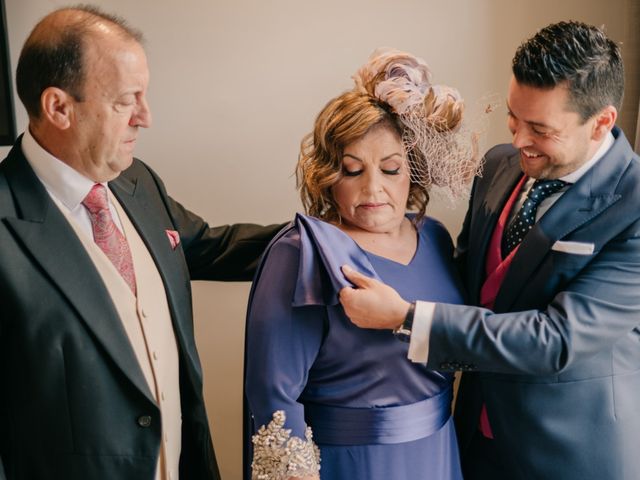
369 426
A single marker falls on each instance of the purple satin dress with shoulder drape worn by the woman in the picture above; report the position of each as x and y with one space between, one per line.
375 414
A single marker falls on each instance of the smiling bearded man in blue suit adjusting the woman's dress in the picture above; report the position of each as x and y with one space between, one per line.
550 253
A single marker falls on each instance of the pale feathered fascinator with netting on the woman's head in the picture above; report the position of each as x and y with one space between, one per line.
441 150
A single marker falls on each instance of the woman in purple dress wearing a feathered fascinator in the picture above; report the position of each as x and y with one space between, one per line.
329 400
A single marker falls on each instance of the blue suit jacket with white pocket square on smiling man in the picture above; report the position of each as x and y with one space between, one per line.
558 362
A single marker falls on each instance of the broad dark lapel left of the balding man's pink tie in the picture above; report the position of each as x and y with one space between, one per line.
46 234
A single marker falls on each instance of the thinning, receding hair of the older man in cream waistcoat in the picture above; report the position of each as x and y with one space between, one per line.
53 55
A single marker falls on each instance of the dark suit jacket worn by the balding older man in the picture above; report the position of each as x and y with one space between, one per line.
71 390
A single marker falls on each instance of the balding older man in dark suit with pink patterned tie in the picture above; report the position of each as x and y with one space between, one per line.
99 373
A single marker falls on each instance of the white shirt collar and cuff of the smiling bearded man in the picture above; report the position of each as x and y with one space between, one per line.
419 345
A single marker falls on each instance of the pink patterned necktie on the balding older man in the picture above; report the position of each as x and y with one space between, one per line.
107 235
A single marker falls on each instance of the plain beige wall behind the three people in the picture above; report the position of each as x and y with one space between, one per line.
236 84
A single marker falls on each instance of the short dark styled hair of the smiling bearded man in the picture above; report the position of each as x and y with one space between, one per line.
579 56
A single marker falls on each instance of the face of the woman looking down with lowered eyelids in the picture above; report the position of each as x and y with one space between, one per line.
373 193
